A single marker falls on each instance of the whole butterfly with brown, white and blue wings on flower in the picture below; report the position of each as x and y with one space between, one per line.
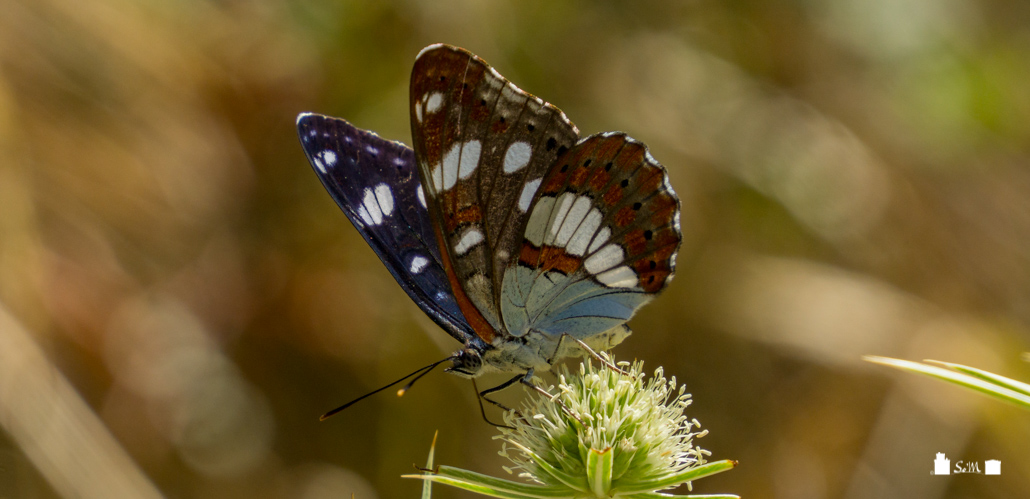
521 240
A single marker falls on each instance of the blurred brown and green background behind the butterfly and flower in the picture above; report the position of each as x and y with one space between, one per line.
181 300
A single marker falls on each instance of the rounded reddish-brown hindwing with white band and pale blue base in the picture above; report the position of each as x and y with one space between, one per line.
601 241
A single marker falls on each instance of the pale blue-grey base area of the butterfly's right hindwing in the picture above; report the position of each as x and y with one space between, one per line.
556 304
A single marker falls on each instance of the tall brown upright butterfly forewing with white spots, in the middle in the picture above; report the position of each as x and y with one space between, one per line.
485 148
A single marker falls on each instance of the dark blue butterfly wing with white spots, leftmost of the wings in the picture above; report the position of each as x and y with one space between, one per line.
375 182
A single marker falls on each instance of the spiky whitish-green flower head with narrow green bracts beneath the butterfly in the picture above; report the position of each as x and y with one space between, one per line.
606 434
